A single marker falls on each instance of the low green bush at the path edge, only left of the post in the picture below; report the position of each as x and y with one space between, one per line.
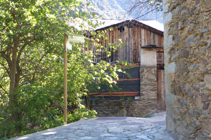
34 110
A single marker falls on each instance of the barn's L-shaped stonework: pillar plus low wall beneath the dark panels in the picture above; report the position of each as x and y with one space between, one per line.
145 105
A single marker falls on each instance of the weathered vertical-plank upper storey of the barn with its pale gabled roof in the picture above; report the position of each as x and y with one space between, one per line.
133 34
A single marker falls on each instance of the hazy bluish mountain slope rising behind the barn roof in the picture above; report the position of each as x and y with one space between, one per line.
118 9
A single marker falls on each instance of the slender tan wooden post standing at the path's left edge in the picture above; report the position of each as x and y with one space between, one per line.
65 79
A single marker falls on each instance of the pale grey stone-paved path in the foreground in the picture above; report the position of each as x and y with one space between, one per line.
107 128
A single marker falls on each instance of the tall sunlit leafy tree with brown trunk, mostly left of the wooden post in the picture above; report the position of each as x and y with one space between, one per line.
29 26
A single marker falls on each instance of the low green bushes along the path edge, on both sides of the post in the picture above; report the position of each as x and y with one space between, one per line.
37 113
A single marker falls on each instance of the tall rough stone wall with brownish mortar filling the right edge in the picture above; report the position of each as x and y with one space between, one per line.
187 44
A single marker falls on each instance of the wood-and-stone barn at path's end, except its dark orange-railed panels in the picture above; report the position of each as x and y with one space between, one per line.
143 44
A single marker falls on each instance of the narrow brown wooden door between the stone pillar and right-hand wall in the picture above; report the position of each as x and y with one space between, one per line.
161 104
